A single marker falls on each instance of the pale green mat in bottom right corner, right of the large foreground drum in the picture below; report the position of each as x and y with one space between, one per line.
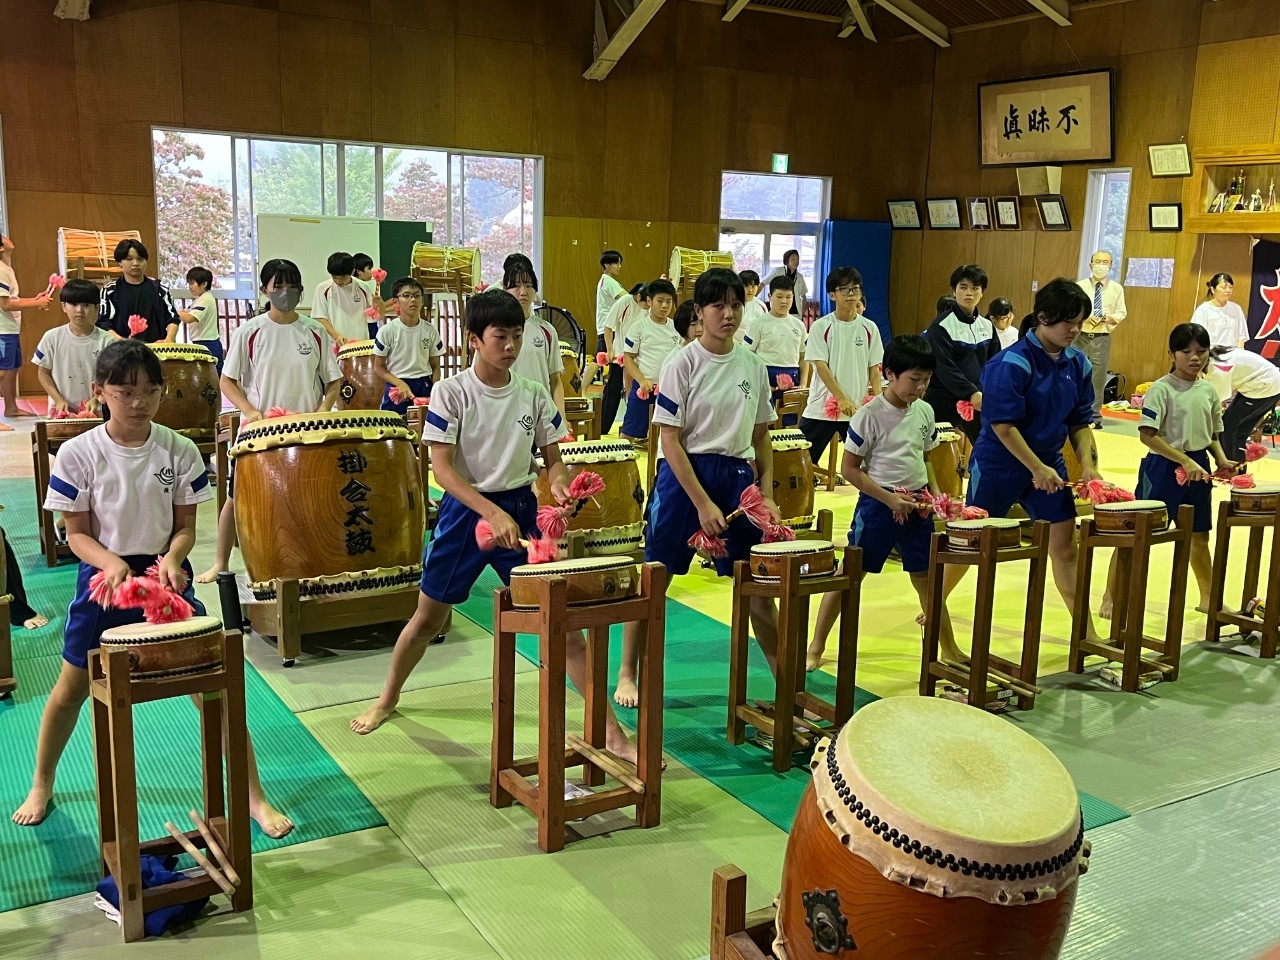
1191 881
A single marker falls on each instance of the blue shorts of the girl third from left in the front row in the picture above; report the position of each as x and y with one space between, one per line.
674 518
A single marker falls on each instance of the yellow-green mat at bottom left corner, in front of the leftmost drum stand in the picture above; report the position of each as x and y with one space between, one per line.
360 895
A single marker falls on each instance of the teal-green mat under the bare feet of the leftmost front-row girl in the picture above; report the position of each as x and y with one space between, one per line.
60 860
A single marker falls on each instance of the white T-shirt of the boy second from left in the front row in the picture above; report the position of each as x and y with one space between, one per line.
493 431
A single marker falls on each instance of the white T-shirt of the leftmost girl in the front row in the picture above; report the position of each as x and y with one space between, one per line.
130 492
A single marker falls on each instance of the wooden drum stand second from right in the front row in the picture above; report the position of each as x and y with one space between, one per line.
1127 641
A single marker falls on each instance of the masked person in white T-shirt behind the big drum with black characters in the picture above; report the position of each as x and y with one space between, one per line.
276 360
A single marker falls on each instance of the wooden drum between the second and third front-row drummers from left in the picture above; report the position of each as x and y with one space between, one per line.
611 522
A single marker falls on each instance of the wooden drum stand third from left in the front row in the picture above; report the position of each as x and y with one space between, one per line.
792 698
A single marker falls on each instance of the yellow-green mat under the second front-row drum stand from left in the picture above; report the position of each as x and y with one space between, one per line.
643 894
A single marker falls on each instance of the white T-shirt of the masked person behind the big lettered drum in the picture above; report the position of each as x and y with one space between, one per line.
281 365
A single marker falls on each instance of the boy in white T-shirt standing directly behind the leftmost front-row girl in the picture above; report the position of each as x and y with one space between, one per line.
67 356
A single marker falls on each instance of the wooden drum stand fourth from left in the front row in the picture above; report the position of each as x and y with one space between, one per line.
1013 682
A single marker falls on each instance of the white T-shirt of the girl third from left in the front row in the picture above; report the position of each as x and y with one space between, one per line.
716 400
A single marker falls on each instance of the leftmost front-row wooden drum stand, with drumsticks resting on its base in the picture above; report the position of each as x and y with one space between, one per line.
222 708
